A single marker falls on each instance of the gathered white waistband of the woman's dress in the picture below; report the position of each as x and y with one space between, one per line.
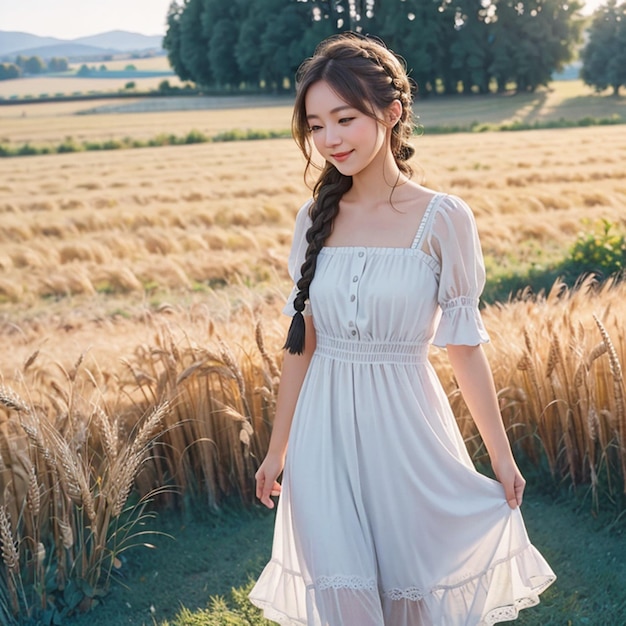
363 351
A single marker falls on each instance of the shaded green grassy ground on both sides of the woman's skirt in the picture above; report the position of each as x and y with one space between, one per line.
210 557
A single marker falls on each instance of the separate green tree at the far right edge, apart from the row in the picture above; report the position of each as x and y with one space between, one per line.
604 56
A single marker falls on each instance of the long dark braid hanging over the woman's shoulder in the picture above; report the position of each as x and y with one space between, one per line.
327 193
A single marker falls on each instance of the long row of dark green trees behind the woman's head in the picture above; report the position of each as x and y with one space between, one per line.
449 45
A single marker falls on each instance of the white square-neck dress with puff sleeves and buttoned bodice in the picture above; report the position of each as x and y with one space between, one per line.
383 519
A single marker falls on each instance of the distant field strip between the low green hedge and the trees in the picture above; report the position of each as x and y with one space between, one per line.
53 122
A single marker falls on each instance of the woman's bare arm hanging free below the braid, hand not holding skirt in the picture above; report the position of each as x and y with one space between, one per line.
293 372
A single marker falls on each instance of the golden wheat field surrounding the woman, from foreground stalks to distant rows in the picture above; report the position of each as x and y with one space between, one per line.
140 296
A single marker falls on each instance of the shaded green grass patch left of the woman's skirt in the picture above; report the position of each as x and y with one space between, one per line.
203 558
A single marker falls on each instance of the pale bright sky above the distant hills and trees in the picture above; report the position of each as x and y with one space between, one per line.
69 19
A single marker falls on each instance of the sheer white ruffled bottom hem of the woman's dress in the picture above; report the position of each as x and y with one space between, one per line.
484 599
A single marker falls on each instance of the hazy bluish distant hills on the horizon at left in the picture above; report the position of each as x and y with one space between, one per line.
114 42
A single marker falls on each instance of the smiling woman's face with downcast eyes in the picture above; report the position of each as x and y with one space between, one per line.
343 135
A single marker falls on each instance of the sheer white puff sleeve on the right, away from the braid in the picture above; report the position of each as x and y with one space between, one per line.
454 240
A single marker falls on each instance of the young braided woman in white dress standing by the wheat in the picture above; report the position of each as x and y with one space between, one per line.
383 519
